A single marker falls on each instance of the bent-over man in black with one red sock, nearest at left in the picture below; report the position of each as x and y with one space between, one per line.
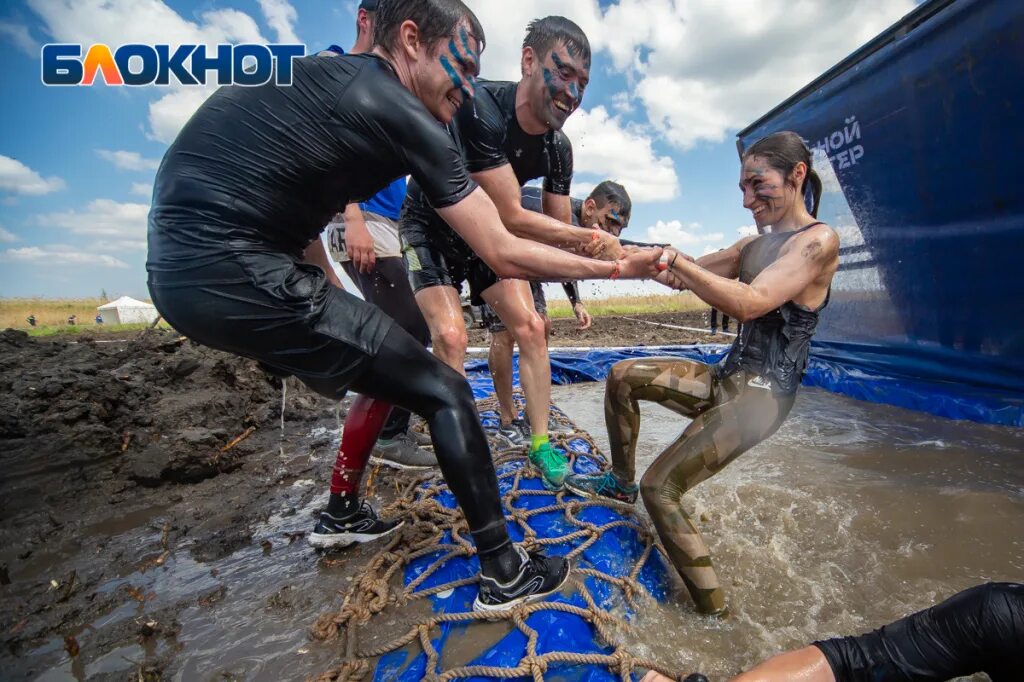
236 262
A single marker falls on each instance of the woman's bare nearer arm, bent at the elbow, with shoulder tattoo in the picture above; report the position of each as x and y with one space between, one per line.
809 255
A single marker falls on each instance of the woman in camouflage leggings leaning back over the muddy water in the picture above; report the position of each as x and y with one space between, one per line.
777 285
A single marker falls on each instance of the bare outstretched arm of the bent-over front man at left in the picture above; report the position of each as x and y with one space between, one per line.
478 222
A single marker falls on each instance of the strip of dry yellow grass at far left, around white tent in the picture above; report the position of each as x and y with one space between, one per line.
52 316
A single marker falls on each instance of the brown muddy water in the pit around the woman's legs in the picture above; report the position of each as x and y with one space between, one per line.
852 516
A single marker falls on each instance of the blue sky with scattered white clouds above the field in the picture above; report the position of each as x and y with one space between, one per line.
672 83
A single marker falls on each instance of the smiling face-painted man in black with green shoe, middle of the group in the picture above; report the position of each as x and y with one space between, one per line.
510 134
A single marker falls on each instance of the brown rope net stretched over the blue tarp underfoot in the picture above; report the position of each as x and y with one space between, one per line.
433 552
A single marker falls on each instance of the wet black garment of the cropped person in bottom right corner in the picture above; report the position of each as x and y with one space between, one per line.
978 630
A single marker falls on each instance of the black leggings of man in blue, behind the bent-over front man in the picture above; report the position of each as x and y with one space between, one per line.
388 288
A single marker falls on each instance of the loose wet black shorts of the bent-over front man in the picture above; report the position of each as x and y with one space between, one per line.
275 310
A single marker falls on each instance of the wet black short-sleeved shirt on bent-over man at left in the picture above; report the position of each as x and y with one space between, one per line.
265 168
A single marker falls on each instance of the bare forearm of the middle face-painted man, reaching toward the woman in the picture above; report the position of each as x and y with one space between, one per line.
503 189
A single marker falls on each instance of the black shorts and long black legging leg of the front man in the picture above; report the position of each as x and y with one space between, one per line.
284 314
